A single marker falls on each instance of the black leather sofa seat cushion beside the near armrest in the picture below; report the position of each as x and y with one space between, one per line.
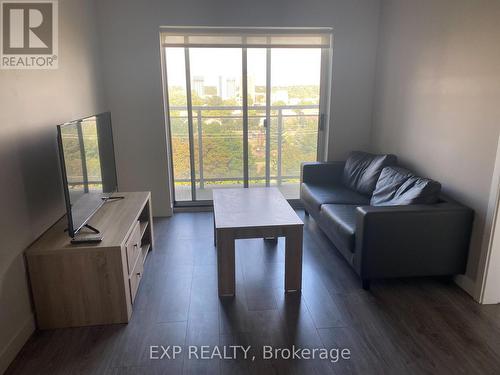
341 218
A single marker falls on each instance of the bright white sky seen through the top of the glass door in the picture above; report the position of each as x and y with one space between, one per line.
289 67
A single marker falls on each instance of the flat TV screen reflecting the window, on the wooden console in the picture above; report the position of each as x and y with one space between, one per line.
88 167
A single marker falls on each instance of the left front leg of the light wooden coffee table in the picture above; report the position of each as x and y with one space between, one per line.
225 263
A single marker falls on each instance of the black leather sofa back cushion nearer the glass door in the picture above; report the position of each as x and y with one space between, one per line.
362 170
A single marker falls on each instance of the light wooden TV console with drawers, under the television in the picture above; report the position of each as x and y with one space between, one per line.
92 284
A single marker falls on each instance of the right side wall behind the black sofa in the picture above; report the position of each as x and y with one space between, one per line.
437 98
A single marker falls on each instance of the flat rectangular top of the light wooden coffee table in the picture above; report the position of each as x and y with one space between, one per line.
252 207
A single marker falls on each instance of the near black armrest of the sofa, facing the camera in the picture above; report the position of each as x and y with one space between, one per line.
414 240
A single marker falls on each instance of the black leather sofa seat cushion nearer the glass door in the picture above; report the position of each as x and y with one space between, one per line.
317 194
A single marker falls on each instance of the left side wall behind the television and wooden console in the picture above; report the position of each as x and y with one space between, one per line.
32 103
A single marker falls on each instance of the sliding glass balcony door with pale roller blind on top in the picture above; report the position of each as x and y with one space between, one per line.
243 114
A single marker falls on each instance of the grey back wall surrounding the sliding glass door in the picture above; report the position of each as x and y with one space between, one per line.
130 41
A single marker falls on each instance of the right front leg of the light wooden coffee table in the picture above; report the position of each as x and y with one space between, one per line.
293 259
